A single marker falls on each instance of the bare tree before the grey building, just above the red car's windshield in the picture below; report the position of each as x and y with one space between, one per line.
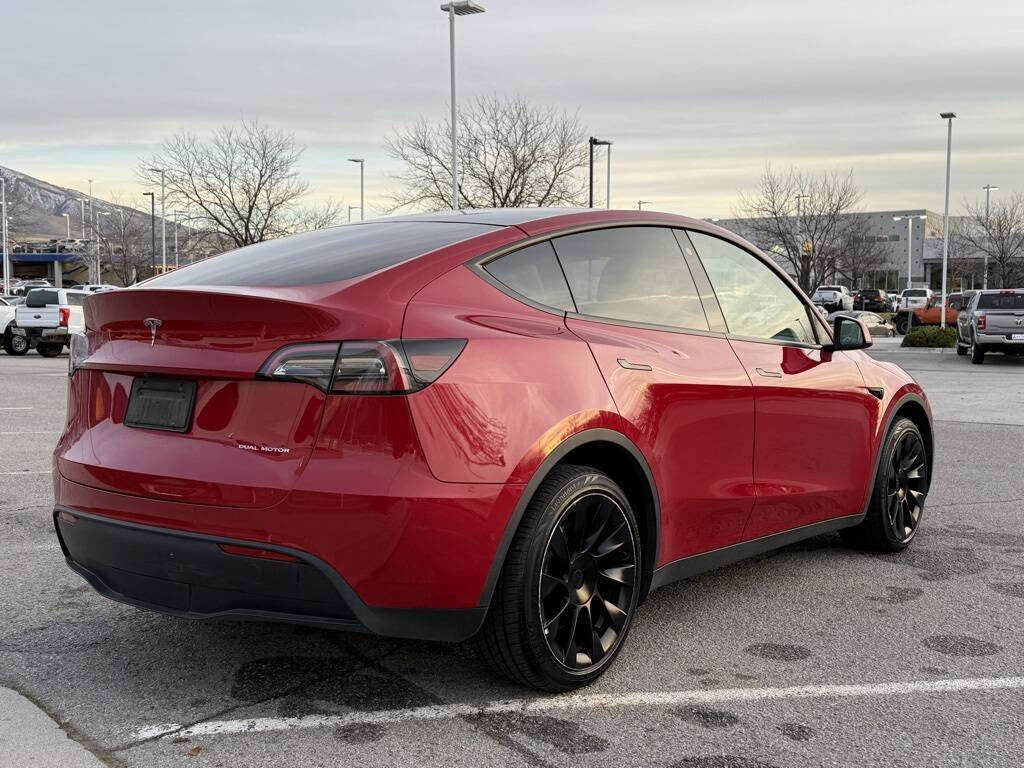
807 239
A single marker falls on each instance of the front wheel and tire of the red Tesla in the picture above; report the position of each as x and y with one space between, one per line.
902 486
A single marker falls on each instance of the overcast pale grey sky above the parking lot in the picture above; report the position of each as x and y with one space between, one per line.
698 97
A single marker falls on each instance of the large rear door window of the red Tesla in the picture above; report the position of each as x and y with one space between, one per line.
634 274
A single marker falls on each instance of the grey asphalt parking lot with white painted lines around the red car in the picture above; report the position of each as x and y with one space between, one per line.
813 656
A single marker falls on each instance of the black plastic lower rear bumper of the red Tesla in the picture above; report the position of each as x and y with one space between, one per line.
189 575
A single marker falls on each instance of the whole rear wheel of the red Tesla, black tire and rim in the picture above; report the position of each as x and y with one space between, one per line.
548 619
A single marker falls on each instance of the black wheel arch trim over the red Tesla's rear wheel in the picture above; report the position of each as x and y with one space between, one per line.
618 457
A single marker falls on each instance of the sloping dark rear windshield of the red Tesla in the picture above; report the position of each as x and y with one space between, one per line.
323 257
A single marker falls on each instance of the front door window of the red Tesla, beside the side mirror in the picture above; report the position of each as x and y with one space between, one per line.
756 303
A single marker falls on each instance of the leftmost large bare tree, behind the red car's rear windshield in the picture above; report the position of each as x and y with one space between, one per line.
243 184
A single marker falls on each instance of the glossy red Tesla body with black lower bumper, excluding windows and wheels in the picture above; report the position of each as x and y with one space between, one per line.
393 513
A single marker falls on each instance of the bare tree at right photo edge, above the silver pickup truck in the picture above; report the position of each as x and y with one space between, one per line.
1000 236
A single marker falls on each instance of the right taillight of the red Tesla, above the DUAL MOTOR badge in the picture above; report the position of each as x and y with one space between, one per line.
393 367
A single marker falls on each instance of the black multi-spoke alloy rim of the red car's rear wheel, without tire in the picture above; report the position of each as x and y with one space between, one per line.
588 579
